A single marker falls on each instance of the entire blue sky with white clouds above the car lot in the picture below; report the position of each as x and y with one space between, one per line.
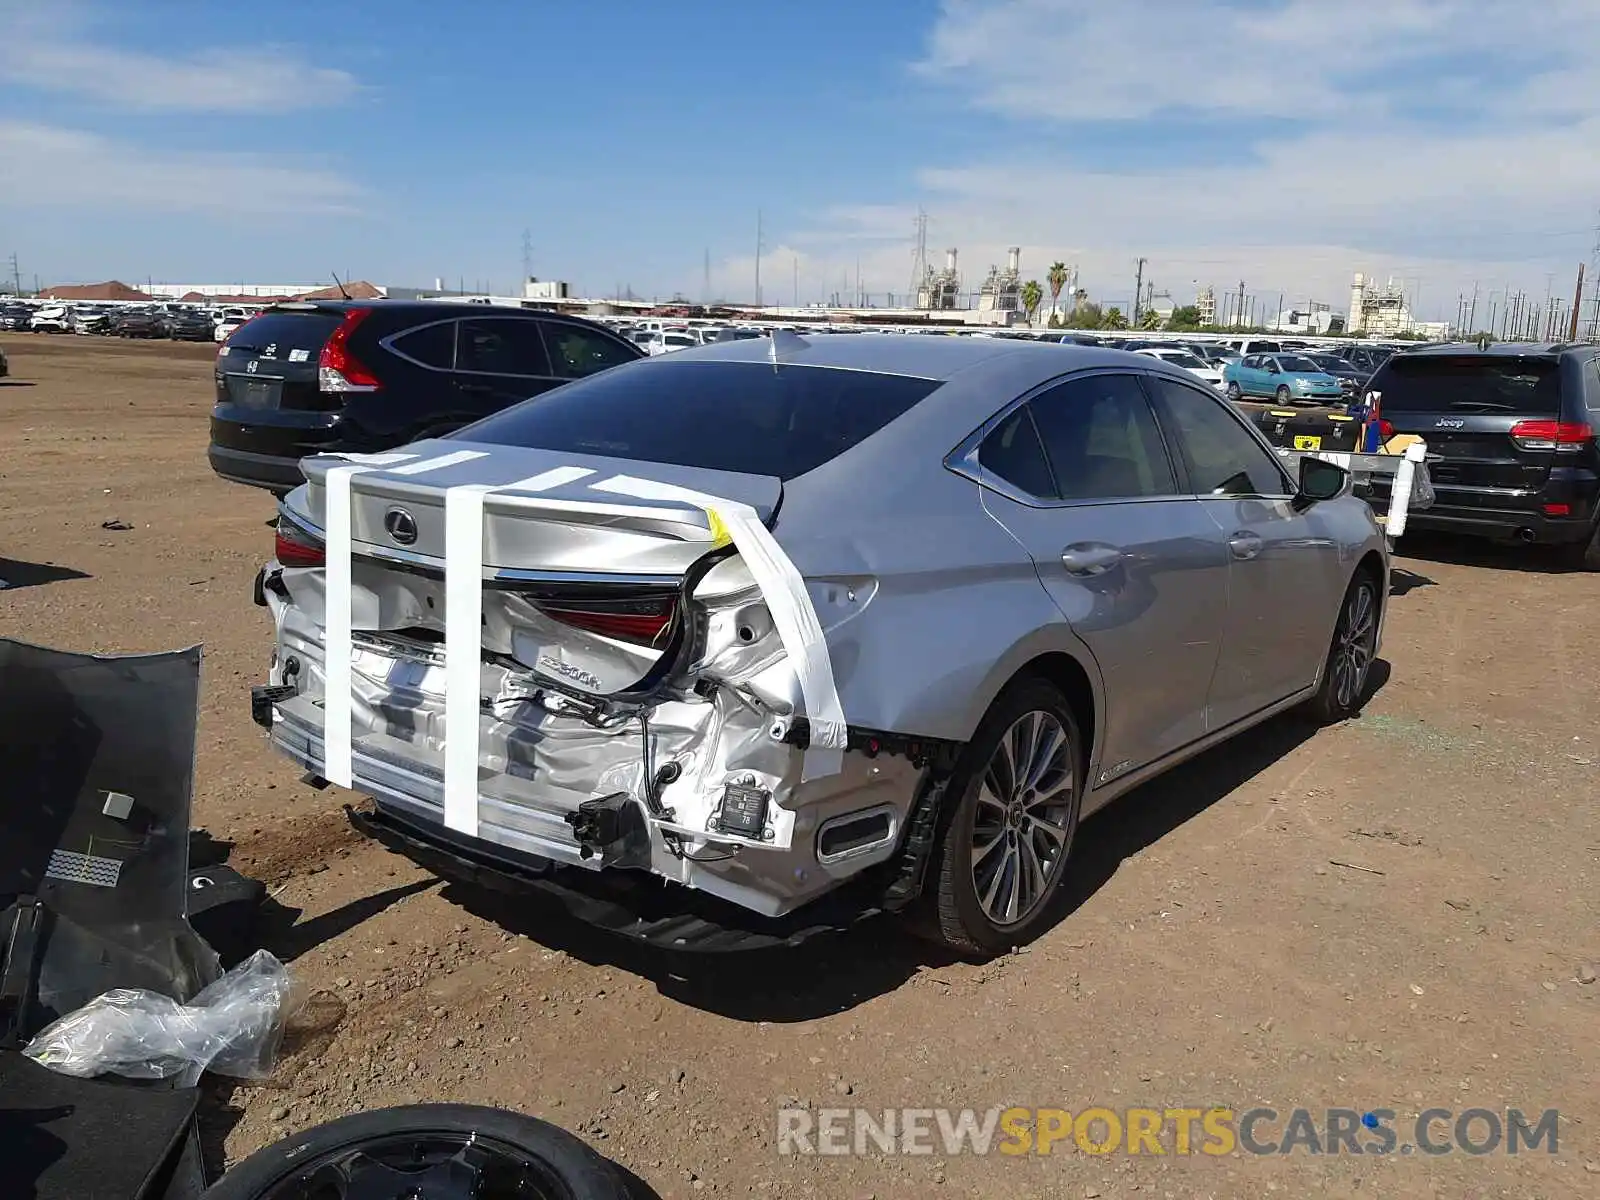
1284 143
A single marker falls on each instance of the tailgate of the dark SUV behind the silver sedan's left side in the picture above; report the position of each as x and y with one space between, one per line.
271 364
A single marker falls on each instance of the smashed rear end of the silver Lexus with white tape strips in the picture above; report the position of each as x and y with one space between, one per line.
574 663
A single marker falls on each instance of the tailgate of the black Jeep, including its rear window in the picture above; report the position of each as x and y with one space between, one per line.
1466 409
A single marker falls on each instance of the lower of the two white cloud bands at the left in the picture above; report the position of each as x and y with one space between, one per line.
49 167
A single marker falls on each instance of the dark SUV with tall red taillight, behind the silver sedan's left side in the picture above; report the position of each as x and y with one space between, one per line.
311 378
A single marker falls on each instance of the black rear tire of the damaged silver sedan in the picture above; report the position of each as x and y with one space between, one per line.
956 911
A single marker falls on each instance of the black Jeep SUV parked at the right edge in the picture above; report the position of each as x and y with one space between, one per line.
1511 439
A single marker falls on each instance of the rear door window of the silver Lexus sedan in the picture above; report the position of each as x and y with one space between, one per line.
1102 439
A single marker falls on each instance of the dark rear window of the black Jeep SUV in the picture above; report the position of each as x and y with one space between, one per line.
1471 385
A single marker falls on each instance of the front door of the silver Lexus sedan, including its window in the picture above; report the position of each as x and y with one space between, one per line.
1282 566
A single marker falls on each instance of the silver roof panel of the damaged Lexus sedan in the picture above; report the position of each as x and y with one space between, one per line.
913 354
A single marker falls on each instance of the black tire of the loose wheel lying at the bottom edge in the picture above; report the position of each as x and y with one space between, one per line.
567 1169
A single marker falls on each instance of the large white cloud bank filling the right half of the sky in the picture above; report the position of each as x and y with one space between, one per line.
1500 194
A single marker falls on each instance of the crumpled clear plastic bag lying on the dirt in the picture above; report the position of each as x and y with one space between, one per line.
233 1028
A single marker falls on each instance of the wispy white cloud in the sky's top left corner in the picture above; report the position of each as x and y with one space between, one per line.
46 50
